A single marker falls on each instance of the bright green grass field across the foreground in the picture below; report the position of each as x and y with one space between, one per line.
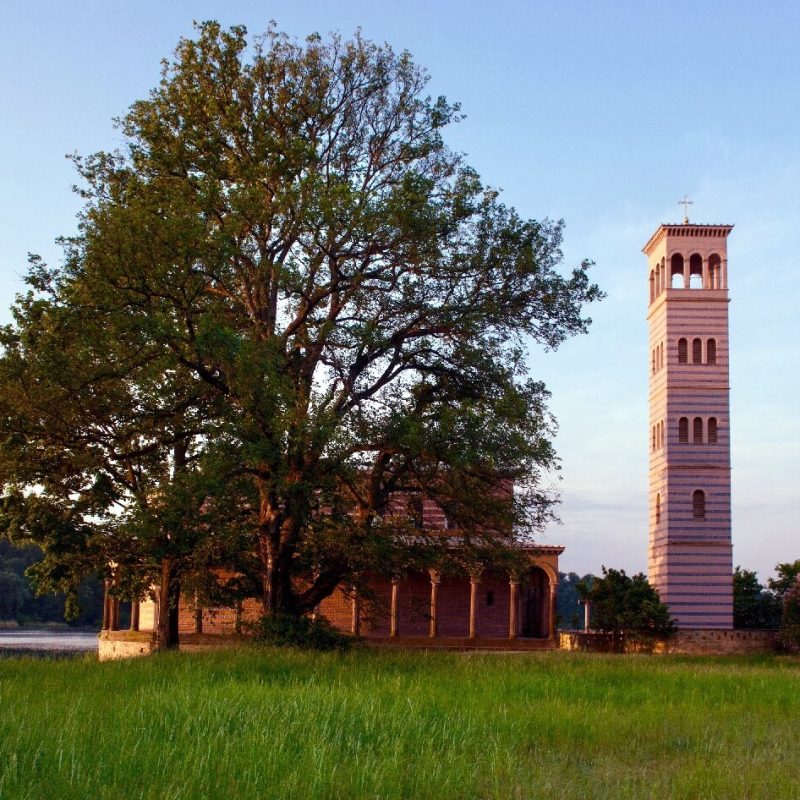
257 723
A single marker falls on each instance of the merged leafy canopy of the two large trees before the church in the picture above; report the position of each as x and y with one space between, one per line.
287 303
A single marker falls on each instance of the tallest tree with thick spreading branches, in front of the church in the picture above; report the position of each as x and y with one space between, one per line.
289 238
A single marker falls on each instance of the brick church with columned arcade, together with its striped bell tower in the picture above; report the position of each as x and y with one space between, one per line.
690 550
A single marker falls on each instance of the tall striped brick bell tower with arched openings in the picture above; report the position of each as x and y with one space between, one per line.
690 558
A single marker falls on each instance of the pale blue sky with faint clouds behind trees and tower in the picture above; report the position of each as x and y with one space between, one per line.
601 114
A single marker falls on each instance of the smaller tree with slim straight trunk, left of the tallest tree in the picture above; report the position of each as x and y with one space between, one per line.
102 442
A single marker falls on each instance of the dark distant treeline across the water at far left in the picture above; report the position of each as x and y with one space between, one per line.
19 603
